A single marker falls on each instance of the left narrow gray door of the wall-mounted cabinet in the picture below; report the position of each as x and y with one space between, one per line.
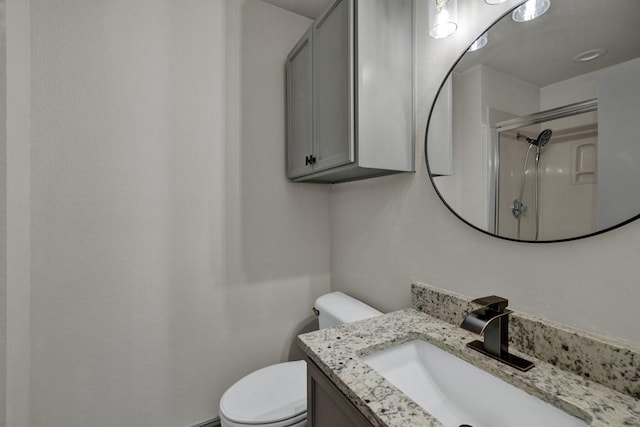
300 108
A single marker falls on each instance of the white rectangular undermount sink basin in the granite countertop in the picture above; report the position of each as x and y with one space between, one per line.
457 393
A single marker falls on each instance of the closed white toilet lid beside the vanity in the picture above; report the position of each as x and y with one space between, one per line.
268 395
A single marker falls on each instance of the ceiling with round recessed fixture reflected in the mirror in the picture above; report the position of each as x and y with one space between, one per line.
540 52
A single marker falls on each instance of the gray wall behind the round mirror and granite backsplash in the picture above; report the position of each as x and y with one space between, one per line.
389 232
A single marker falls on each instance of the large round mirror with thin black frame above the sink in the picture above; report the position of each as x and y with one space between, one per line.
535 134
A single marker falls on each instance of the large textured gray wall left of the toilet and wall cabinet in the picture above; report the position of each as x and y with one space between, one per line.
170 254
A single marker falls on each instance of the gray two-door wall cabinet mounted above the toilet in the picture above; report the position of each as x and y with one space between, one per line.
350 93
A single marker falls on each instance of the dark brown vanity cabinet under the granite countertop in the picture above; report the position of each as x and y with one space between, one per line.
326 405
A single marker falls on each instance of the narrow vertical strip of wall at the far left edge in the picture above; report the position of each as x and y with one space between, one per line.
17 213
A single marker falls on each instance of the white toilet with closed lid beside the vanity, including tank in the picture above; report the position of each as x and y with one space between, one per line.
276 396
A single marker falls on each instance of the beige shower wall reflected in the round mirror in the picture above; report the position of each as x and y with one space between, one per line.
567 193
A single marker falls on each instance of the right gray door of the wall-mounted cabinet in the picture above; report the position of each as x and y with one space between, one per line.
333 92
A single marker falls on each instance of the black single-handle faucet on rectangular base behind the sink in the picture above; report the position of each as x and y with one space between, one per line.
492 321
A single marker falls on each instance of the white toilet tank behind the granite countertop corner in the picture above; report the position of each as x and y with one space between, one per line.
336 308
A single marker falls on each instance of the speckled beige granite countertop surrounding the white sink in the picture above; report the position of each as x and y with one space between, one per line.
338 352
